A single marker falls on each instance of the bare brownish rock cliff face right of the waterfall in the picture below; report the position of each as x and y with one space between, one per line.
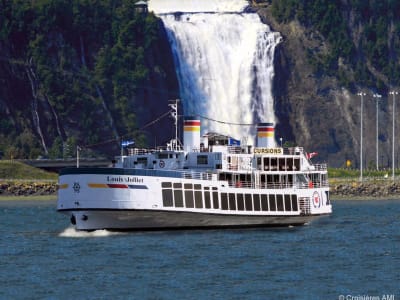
317 103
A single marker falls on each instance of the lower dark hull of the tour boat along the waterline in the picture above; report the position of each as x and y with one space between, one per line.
153 220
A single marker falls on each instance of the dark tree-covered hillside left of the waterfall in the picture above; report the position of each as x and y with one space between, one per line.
78 72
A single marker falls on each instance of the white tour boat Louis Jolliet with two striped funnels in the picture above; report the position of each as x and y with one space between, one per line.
211 183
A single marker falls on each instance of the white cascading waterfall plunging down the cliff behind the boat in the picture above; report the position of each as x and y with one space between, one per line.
224 62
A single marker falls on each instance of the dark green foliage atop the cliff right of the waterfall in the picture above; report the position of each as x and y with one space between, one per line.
338 21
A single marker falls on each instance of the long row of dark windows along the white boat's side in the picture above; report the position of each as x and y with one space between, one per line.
192 196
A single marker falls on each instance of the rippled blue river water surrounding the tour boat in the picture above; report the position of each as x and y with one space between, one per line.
356 251
